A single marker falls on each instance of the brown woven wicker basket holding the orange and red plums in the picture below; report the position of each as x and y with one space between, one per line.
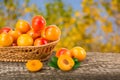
25 53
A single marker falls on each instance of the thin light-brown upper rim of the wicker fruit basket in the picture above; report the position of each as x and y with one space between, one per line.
53 42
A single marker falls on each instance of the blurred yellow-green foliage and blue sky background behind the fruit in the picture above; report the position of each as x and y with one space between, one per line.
91 24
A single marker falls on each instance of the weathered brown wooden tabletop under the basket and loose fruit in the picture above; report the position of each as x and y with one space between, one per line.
97 66
